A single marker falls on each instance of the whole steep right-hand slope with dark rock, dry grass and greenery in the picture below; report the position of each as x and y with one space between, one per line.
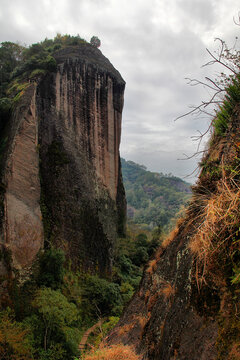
187 305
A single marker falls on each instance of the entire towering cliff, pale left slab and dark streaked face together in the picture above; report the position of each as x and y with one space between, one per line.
62 175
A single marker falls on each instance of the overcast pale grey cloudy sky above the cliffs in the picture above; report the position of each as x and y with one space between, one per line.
155 45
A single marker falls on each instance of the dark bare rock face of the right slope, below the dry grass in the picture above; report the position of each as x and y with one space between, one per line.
161 322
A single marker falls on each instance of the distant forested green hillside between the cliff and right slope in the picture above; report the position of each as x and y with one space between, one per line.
154 199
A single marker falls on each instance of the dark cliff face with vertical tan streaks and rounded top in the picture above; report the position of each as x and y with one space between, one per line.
79 114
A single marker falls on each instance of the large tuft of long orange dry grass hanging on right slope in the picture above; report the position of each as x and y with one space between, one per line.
217 224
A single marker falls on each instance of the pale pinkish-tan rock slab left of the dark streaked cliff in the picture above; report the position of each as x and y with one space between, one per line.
22 232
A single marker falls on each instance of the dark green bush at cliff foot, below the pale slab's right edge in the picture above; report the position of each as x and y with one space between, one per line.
51 270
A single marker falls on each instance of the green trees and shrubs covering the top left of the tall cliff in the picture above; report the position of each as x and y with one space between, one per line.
18 64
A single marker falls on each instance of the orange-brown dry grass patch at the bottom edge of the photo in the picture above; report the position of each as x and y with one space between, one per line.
114 352
